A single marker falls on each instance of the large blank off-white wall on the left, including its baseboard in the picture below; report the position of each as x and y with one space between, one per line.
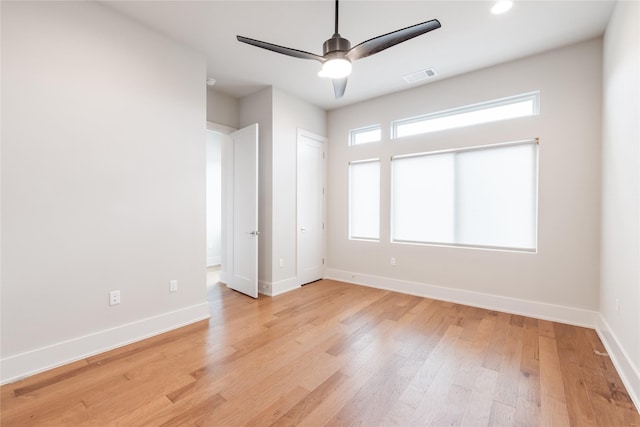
103 171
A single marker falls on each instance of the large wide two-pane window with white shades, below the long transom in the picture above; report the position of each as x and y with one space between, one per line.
484 197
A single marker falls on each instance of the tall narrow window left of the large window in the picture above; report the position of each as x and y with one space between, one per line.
364 200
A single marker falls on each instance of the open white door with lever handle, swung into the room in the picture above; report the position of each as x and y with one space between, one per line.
243 274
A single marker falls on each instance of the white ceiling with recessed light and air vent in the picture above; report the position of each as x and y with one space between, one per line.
470 38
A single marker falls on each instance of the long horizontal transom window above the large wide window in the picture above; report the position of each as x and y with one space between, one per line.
501 109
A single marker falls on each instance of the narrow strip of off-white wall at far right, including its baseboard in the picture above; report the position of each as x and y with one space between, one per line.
620 258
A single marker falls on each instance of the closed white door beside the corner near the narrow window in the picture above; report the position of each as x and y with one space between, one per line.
310 207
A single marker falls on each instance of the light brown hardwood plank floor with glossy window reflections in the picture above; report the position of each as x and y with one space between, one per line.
336 354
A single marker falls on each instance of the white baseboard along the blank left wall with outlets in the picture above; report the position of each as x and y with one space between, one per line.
25 364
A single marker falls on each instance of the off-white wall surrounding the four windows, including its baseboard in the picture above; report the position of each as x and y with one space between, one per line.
561 280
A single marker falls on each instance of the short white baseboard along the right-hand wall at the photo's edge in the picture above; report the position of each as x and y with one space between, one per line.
628 372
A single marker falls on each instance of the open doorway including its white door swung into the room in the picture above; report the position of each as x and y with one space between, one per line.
232 207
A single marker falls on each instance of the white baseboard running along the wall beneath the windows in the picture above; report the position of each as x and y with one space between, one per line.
538 310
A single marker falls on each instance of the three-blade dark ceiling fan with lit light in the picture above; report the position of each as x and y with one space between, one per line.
338 53
